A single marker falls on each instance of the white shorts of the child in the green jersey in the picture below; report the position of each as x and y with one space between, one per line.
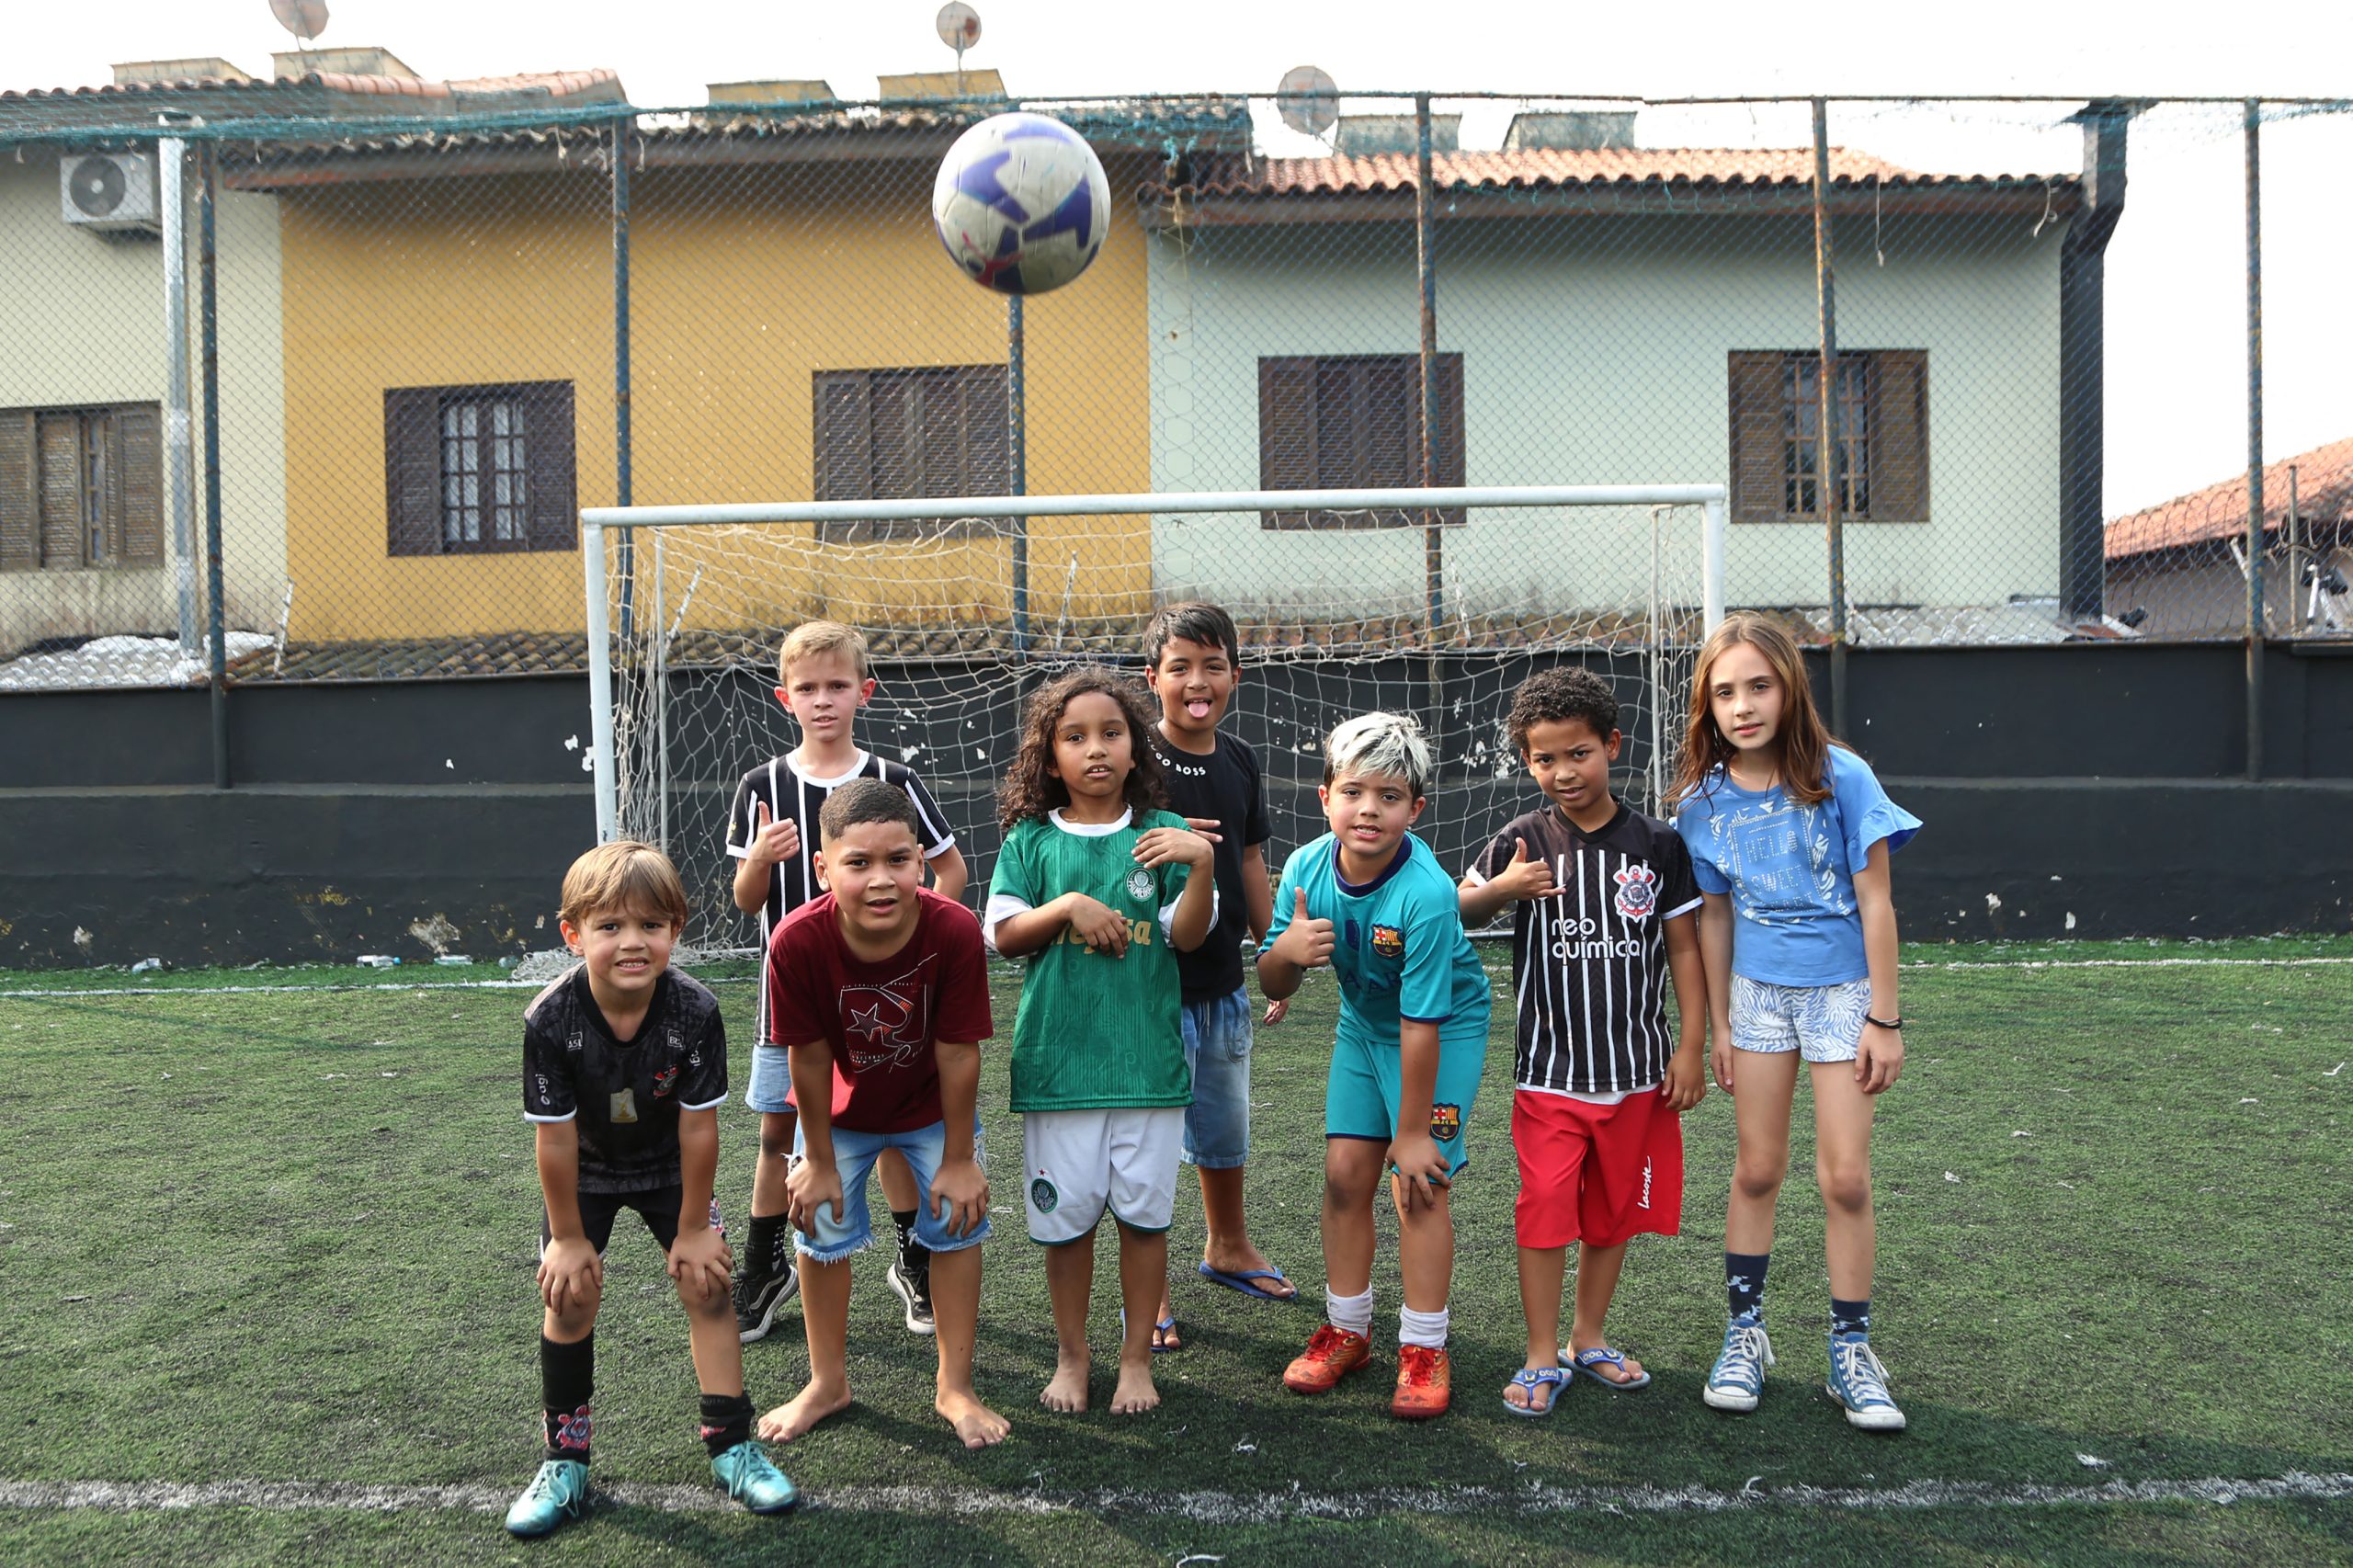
1086 1162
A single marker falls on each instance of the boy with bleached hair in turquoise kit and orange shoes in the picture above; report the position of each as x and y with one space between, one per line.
1371 901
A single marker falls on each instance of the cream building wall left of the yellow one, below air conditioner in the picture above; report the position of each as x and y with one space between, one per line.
84 324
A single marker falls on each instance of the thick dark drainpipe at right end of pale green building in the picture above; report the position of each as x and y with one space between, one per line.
2084 263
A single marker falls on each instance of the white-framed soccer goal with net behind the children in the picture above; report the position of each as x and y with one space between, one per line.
1651 611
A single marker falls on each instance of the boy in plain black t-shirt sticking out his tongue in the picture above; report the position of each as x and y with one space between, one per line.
1192 660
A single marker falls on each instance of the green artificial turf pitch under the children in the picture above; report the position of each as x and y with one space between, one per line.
286 1237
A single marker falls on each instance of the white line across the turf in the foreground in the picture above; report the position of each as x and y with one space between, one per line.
1201 1508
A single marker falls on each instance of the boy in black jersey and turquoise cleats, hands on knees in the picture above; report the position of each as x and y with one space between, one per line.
625 1068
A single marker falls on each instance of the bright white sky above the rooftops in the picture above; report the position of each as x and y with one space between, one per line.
2175 272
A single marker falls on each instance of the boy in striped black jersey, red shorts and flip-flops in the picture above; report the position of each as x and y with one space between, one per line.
1606 919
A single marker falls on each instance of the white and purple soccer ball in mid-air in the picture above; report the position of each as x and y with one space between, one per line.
1022 204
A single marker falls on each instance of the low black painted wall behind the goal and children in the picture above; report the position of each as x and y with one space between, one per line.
2088 790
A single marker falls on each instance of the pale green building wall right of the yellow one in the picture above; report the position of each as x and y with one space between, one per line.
1594 354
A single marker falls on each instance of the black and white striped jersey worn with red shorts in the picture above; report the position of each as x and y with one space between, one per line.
1589 964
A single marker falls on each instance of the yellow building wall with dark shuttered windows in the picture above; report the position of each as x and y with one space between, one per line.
745 281
